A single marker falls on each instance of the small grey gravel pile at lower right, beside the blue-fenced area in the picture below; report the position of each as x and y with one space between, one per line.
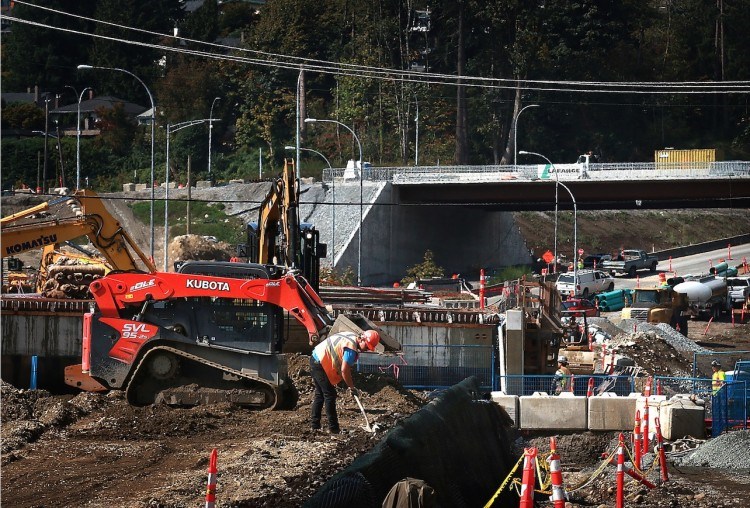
728 451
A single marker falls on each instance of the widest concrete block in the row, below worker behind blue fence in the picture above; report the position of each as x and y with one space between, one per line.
563 412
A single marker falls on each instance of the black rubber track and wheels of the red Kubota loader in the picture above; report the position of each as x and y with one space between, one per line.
171 376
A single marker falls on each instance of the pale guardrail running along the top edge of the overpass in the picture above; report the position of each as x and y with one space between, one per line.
496 173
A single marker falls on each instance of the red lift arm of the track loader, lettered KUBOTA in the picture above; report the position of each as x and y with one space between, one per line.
291 292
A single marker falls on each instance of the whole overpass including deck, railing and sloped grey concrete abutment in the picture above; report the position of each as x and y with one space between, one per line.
460 212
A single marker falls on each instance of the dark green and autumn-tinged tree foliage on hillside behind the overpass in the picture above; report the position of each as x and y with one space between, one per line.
505 40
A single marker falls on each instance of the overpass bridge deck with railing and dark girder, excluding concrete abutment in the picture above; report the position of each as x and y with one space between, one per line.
595 186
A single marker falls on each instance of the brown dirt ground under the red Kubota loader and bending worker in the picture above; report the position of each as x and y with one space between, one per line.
55 448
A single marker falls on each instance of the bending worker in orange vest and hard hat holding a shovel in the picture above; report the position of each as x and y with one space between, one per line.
330 363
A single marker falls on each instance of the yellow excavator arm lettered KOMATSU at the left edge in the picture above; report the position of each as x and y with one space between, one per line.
91 219
